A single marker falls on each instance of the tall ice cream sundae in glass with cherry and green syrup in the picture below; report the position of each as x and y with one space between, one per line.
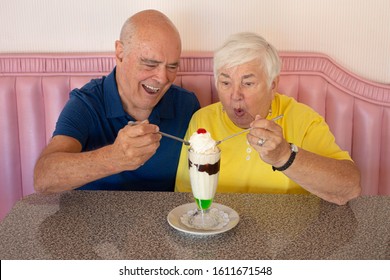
204 163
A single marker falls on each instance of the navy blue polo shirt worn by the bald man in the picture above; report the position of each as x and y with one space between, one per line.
94 114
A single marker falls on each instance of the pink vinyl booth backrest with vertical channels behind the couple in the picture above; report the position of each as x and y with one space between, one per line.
35 87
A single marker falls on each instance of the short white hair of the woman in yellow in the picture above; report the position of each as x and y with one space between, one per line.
244 47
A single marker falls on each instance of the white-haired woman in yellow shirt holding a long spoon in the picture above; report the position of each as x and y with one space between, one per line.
294 154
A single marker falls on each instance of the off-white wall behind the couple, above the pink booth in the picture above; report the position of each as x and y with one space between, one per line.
355 33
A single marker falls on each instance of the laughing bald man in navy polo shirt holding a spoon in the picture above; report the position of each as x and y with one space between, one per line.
106 137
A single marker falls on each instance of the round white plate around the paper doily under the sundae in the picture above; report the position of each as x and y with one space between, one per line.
175 215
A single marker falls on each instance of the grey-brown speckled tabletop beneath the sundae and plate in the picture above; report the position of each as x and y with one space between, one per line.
133 225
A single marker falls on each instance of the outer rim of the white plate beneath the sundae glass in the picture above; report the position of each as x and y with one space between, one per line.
183 228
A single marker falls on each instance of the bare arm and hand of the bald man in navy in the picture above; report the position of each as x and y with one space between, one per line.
62 166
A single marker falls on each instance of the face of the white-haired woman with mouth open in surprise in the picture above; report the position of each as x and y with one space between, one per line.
244 93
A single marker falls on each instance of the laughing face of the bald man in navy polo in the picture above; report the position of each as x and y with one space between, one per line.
146 70
